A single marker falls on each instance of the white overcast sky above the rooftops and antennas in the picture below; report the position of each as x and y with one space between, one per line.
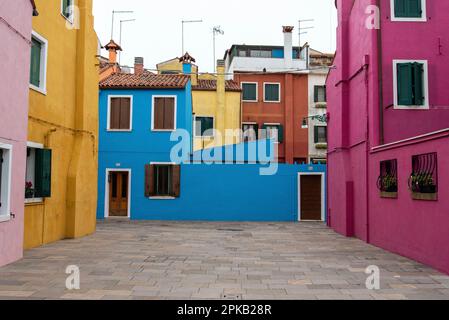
156 33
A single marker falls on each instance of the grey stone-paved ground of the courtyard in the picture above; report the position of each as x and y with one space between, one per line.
174 260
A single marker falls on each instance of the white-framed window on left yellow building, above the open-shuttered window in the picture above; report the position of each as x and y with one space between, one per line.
38 63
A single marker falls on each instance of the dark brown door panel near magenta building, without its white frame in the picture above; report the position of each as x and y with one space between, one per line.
311 197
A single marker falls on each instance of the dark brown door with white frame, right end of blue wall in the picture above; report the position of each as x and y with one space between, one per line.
311 206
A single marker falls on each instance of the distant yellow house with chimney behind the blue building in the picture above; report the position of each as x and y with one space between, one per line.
216 104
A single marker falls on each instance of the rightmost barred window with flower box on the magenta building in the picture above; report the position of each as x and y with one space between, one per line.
423 181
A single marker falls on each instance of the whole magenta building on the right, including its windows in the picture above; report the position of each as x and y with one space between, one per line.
389 127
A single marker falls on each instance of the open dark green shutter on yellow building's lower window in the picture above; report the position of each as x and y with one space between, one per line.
43 173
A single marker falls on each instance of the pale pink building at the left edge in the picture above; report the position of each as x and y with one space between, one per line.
15 35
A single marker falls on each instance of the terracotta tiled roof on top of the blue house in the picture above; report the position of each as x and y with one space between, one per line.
147 80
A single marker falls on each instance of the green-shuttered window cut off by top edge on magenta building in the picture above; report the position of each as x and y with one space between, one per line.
408 10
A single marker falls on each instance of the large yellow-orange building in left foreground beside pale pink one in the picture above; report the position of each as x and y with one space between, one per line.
61 174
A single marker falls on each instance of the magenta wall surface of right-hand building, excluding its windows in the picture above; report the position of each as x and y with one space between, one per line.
355 206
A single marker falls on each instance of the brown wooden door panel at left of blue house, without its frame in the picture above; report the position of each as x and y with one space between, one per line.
118 194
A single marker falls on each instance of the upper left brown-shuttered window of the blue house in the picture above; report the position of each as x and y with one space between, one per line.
120 114
